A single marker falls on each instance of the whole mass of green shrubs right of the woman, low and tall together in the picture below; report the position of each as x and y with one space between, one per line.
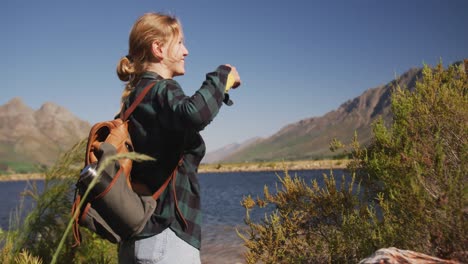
408 190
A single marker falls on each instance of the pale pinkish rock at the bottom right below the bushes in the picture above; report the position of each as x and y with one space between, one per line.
397 256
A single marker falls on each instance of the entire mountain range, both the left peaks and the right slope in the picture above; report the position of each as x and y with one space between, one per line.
40 136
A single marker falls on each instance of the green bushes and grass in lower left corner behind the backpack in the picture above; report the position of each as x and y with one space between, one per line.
42 229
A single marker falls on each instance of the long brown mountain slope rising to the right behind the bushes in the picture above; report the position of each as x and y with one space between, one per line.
310 138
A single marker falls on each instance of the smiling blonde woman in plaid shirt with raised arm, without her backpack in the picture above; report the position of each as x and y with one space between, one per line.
166 126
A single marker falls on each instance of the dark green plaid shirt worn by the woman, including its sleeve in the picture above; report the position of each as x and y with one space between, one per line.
166 126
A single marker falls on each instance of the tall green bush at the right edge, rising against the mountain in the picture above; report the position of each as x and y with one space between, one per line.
420 163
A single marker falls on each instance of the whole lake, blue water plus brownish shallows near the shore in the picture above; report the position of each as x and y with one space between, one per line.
222 212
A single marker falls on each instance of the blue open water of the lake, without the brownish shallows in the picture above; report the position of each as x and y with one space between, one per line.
221 194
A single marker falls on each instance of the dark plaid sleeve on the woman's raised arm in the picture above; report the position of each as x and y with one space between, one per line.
198 110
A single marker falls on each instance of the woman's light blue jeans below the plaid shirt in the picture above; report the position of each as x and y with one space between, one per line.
163 248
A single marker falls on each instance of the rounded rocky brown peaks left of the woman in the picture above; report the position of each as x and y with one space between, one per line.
33 137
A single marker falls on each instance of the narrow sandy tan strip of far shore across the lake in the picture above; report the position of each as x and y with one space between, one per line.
226 167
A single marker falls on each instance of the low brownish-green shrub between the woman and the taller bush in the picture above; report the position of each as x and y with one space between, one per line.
312 224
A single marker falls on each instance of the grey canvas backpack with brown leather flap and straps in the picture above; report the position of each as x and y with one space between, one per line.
115 209
